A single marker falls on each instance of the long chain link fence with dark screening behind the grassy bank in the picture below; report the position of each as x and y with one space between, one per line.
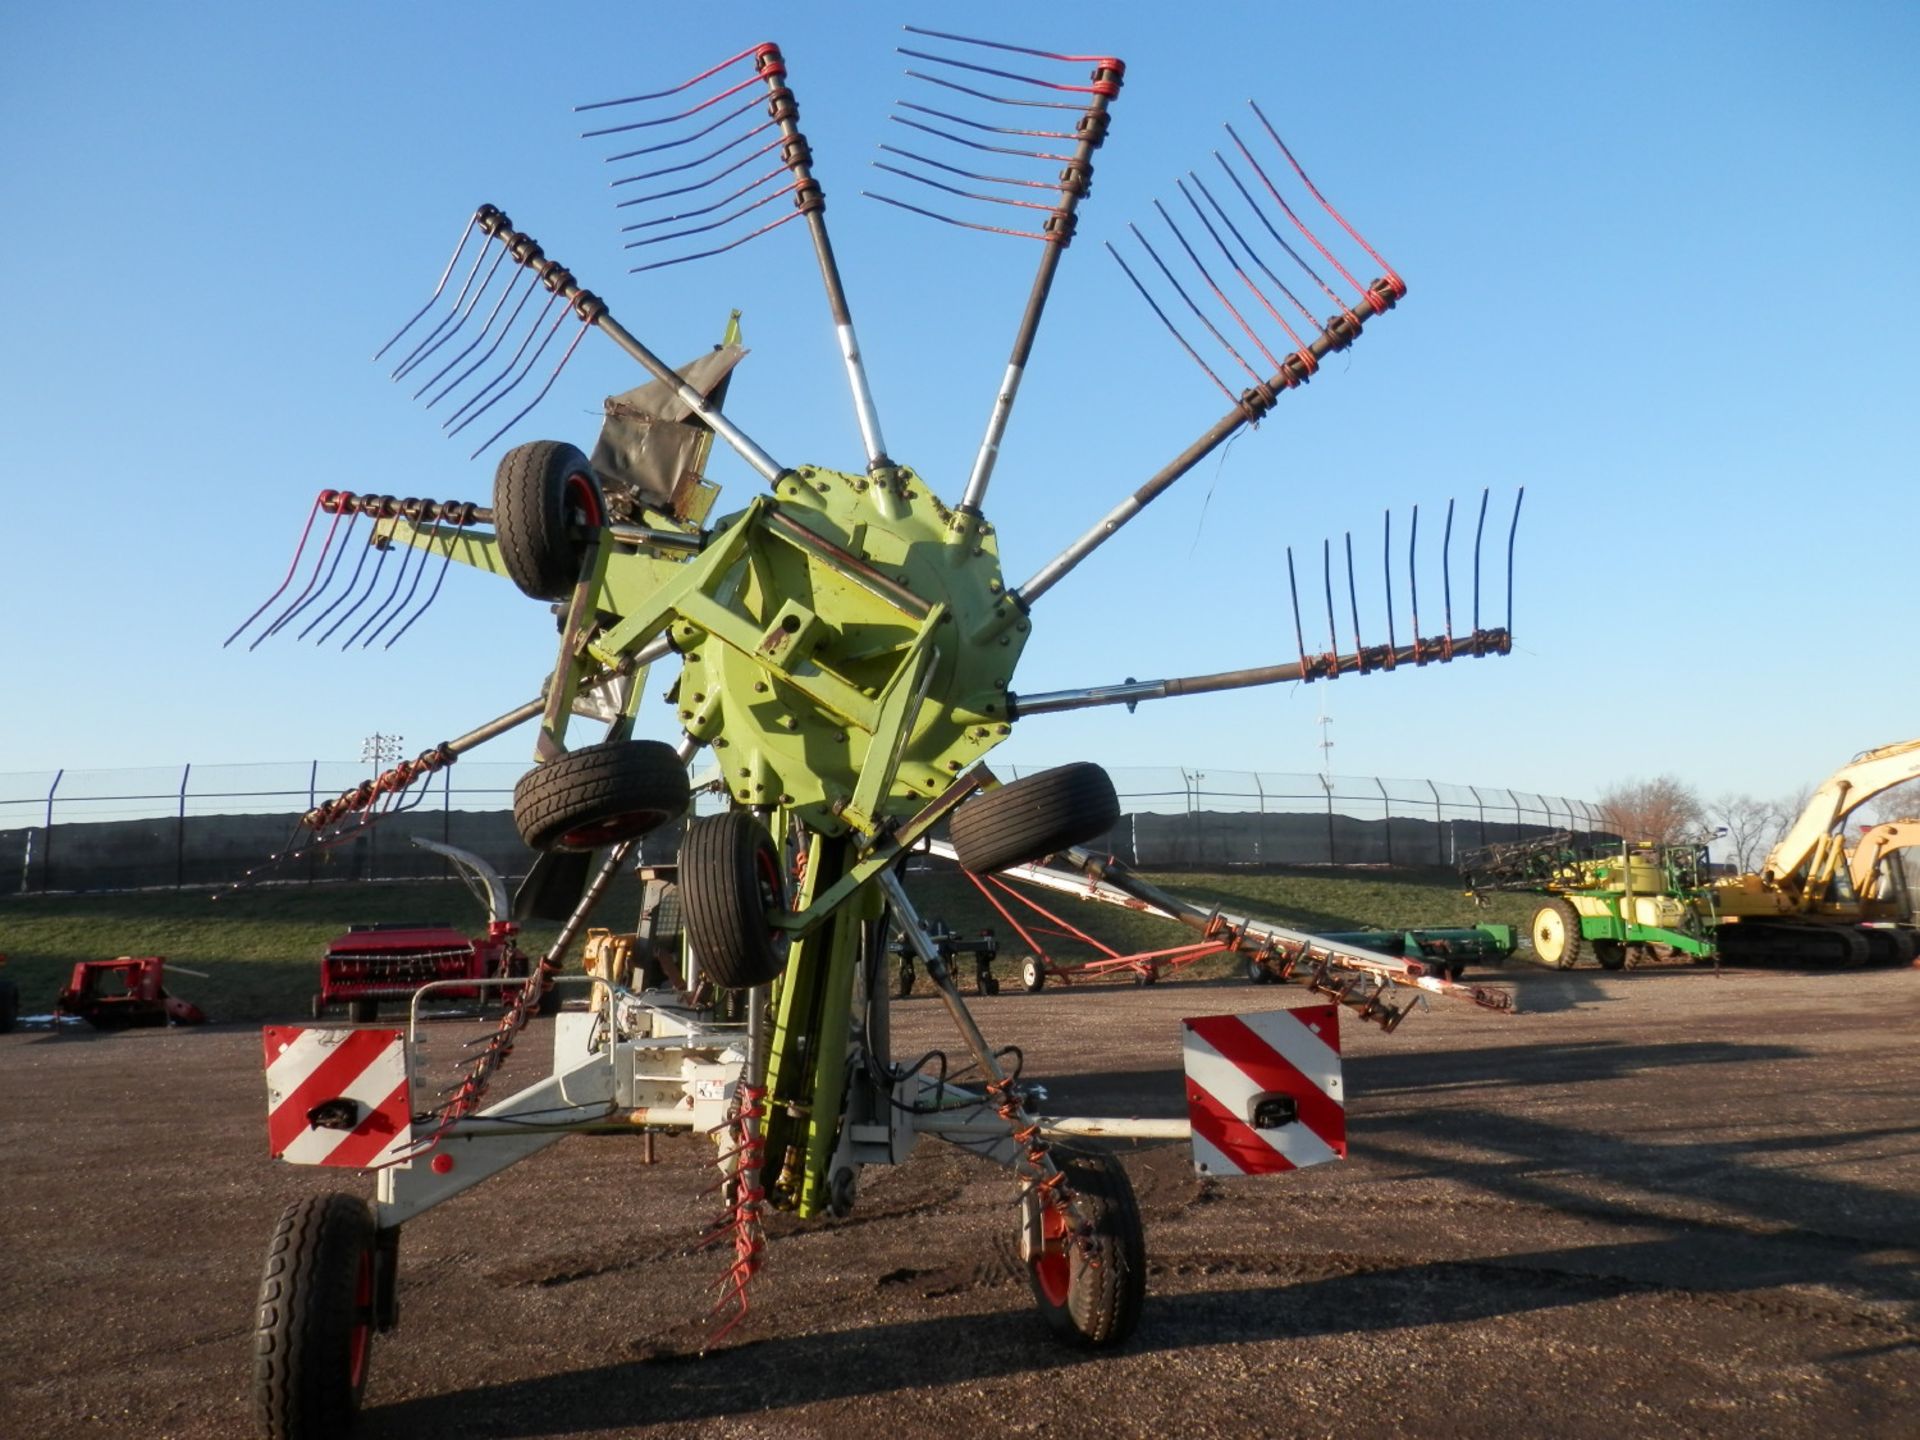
99 830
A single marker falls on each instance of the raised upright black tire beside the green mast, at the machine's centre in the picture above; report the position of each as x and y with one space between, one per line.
731 888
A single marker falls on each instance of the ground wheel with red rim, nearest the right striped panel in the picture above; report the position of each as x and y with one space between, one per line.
1092 1295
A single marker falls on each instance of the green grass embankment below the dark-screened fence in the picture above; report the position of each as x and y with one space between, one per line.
260 948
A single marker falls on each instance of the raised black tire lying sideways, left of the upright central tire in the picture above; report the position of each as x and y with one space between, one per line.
600 796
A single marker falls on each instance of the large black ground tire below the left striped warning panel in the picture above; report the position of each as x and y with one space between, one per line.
316 1322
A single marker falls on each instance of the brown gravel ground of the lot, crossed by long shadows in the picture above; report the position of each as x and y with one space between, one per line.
1658 1203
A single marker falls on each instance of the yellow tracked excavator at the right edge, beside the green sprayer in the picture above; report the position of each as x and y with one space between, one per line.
1806 901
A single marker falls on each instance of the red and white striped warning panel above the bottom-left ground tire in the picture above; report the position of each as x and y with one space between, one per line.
337 1097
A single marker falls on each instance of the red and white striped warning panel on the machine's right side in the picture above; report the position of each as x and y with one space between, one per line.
1264 1092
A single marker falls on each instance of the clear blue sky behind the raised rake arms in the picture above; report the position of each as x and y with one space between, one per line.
1660 270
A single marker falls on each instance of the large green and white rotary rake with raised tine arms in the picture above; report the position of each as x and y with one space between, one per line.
848 648
